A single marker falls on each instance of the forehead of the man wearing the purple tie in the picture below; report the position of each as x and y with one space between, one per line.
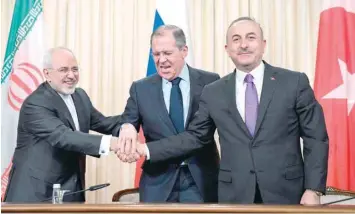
243 28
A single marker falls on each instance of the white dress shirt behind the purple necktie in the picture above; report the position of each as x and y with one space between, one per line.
240 86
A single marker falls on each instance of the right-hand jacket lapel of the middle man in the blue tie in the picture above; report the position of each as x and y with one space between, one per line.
196 87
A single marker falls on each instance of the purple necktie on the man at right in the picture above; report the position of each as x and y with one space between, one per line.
251 104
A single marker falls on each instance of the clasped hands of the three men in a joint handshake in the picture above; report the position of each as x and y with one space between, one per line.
126 146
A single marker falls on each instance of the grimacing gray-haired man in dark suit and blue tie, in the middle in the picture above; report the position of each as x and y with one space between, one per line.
164 104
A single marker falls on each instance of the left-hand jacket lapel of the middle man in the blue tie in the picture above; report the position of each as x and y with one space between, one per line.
159 105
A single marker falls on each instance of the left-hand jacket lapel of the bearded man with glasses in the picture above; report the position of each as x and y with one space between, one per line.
59 103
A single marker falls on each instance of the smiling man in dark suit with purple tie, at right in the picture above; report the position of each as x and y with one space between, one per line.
261 112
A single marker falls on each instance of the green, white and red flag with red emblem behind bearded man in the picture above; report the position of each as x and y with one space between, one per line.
23 72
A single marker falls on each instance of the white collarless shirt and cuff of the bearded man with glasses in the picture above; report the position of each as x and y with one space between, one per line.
105 140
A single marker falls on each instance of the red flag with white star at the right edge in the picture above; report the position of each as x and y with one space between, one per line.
335 90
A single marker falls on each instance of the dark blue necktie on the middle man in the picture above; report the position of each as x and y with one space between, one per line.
176 109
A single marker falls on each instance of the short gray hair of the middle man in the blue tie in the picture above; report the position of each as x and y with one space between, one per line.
177 32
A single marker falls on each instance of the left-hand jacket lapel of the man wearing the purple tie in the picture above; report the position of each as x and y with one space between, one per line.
230 92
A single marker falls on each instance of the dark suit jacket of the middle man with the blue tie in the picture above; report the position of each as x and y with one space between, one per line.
145 107
